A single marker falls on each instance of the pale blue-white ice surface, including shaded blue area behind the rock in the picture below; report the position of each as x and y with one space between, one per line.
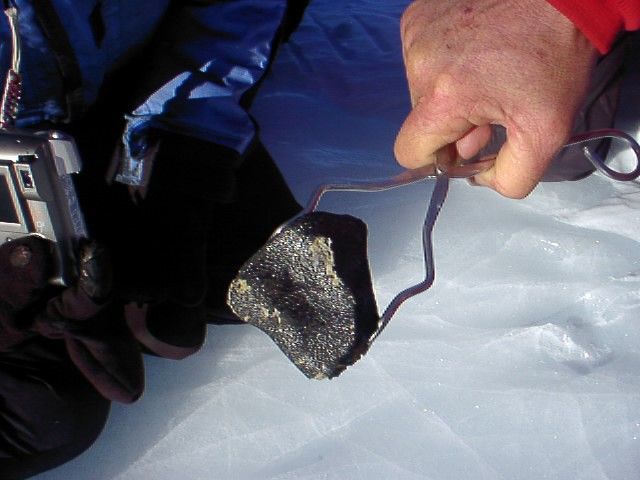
521 362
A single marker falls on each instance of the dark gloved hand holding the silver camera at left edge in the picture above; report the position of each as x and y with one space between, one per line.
82 316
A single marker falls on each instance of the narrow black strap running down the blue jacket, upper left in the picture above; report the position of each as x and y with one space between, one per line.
55 33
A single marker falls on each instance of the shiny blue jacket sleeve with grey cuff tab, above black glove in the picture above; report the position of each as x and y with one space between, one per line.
207 55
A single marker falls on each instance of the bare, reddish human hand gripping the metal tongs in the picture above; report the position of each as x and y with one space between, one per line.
470 64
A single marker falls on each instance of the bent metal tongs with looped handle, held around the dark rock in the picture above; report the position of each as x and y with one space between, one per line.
450 165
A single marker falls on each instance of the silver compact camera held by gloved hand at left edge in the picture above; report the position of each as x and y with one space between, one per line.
37 195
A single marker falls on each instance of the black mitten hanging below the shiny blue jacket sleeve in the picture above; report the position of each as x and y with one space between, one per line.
161 252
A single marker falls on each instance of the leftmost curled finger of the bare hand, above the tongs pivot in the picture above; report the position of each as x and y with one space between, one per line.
424 132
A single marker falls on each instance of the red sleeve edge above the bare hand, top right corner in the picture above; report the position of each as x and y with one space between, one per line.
601 20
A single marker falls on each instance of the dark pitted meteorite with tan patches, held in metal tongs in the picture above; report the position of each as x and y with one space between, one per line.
309 289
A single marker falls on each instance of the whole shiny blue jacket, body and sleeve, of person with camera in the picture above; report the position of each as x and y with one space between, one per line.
207 55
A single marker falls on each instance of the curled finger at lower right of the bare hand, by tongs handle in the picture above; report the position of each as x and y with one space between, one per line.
518 167
